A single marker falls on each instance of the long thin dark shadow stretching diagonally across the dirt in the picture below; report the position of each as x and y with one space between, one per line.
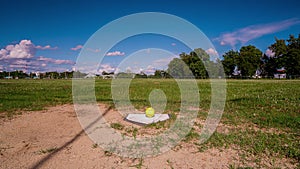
40 163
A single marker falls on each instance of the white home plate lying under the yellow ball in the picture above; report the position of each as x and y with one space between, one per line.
142 119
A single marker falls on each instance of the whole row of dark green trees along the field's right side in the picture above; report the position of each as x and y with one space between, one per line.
247 62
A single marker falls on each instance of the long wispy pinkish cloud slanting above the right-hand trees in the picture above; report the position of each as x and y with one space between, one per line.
248 33
